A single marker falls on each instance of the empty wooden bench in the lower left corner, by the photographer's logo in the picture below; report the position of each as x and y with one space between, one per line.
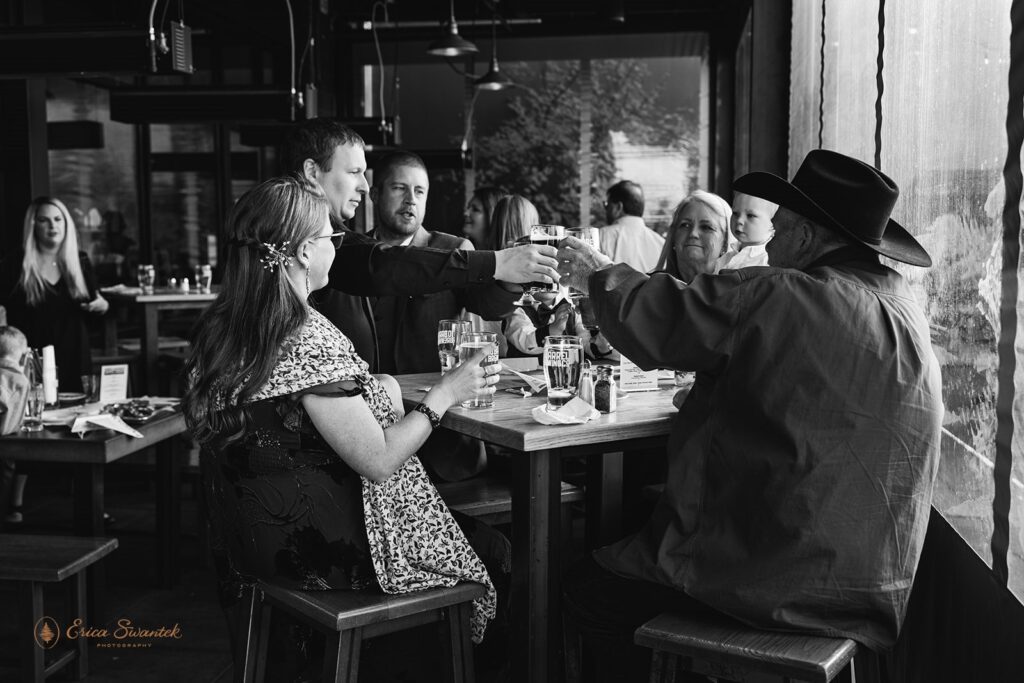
31 562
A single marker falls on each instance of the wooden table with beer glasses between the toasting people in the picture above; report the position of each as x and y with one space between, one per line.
643 421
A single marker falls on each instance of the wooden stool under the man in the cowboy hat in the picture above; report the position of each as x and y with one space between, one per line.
722 648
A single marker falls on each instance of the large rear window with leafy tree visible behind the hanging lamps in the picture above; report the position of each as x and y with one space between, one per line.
571 127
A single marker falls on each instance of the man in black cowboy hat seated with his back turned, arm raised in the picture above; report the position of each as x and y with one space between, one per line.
801 465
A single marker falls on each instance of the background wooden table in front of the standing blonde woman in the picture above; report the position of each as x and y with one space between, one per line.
152 305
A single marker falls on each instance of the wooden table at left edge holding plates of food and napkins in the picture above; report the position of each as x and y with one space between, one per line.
87 457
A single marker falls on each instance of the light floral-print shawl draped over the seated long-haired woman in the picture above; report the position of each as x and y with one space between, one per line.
413 539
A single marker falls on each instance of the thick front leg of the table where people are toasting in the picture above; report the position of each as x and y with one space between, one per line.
536 548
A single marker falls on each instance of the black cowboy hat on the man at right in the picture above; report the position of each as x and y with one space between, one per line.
843 194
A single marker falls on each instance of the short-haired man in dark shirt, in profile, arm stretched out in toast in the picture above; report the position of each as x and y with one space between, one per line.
333 155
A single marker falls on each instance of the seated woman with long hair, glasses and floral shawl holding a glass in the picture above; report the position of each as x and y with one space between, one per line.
309 461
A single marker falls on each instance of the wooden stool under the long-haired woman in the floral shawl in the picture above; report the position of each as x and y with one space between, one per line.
349 618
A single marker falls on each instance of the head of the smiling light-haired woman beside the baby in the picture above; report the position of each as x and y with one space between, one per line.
698 237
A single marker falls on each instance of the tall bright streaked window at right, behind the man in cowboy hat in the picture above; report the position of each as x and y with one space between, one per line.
944 140
